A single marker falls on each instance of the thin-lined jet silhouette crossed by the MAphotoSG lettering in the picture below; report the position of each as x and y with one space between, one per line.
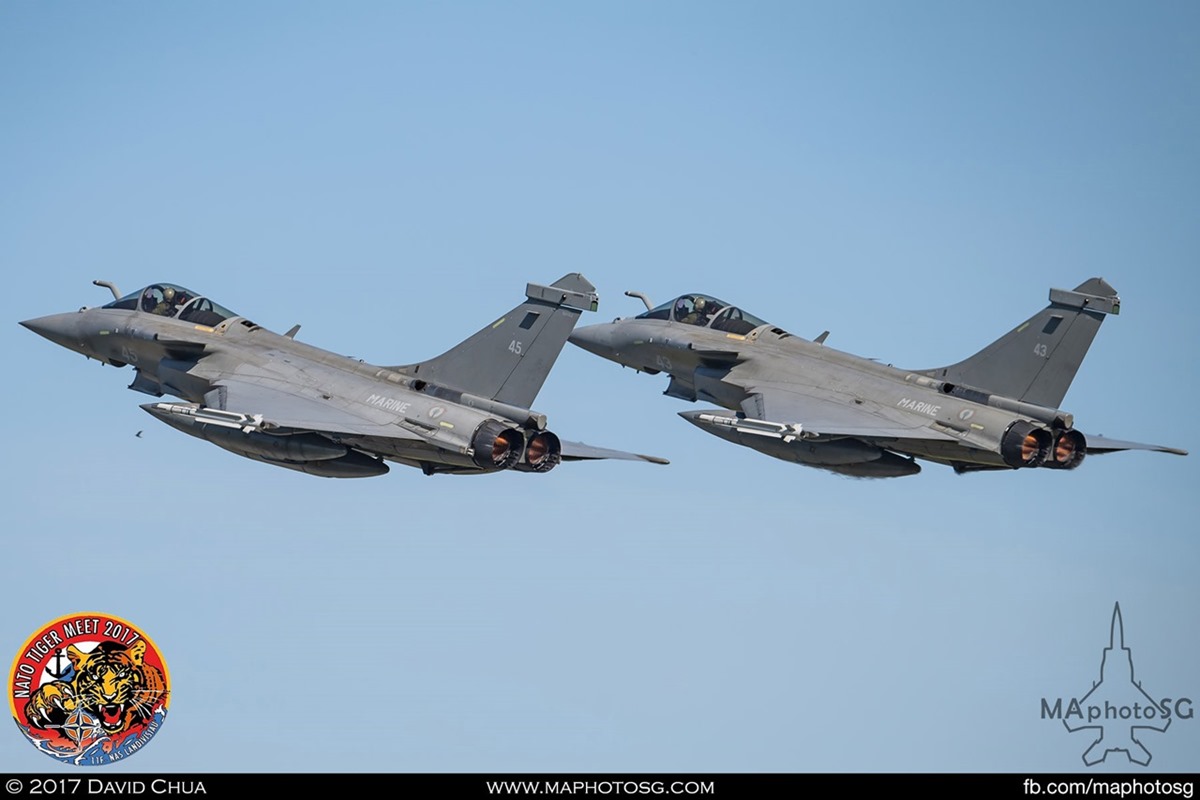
1119 700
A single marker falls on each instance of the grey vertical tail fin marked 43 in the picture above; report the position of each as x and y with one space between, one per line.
1037 362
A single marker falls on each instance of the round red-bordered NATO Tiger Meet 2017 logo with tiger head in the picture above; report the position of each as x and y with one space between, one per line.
89 690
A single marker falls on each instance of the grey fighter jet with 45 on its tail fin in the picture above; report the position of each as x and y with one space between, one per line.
279 401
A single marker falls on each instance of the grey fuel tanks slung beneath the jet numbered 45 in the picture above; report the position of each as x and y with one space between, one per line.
307 453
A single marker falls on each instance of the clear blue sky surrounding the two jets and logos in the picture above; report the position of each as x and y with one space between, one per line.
913 177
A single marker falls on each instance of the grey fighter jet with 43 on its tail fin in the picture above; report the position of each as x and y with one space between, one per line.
805 402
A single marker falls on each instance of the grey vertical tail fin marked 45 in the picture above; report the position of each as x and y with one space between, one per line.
509 360
